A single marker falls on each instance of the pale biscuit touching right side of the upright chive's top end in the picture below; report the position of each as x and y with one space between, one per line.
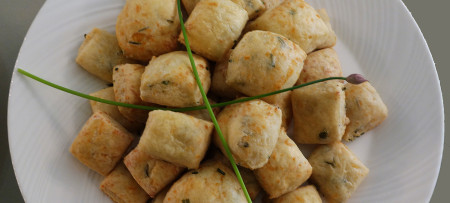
213 27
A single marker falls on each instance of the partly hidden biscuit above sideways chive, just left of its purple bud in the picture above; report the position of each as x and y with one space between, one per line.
320 64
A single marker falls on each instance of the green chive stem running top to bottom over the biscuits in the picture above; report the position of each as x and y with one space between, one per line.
208 106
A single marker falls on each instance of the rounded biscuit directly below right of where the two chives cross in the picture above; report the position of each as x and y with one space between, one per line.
251 130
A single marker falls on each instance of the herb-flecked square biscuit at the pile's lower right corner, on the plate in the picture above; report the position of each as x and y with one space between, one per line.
337 171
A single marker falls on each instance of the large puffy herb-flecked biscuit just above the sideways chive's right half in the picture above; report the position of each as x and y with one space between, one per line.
263 62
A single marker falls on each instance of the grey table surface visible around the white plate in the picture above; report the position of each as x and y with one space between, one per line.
17 15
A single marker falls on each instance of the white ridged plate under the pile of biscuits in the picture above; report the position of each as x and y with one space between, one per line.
379 39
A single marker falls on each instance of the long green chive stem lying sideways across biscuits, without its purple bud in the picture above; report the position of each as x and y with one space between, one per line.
150 108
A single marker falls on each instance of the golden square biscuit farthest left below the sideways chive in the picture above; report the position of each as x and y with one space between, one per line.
101 143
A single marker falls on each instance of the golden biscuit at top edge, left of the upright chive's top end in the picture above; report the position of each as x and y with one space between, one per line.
147 28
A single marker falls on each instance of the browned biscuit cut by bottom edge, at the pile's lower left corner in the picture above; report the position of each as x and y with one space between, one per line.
120 186
